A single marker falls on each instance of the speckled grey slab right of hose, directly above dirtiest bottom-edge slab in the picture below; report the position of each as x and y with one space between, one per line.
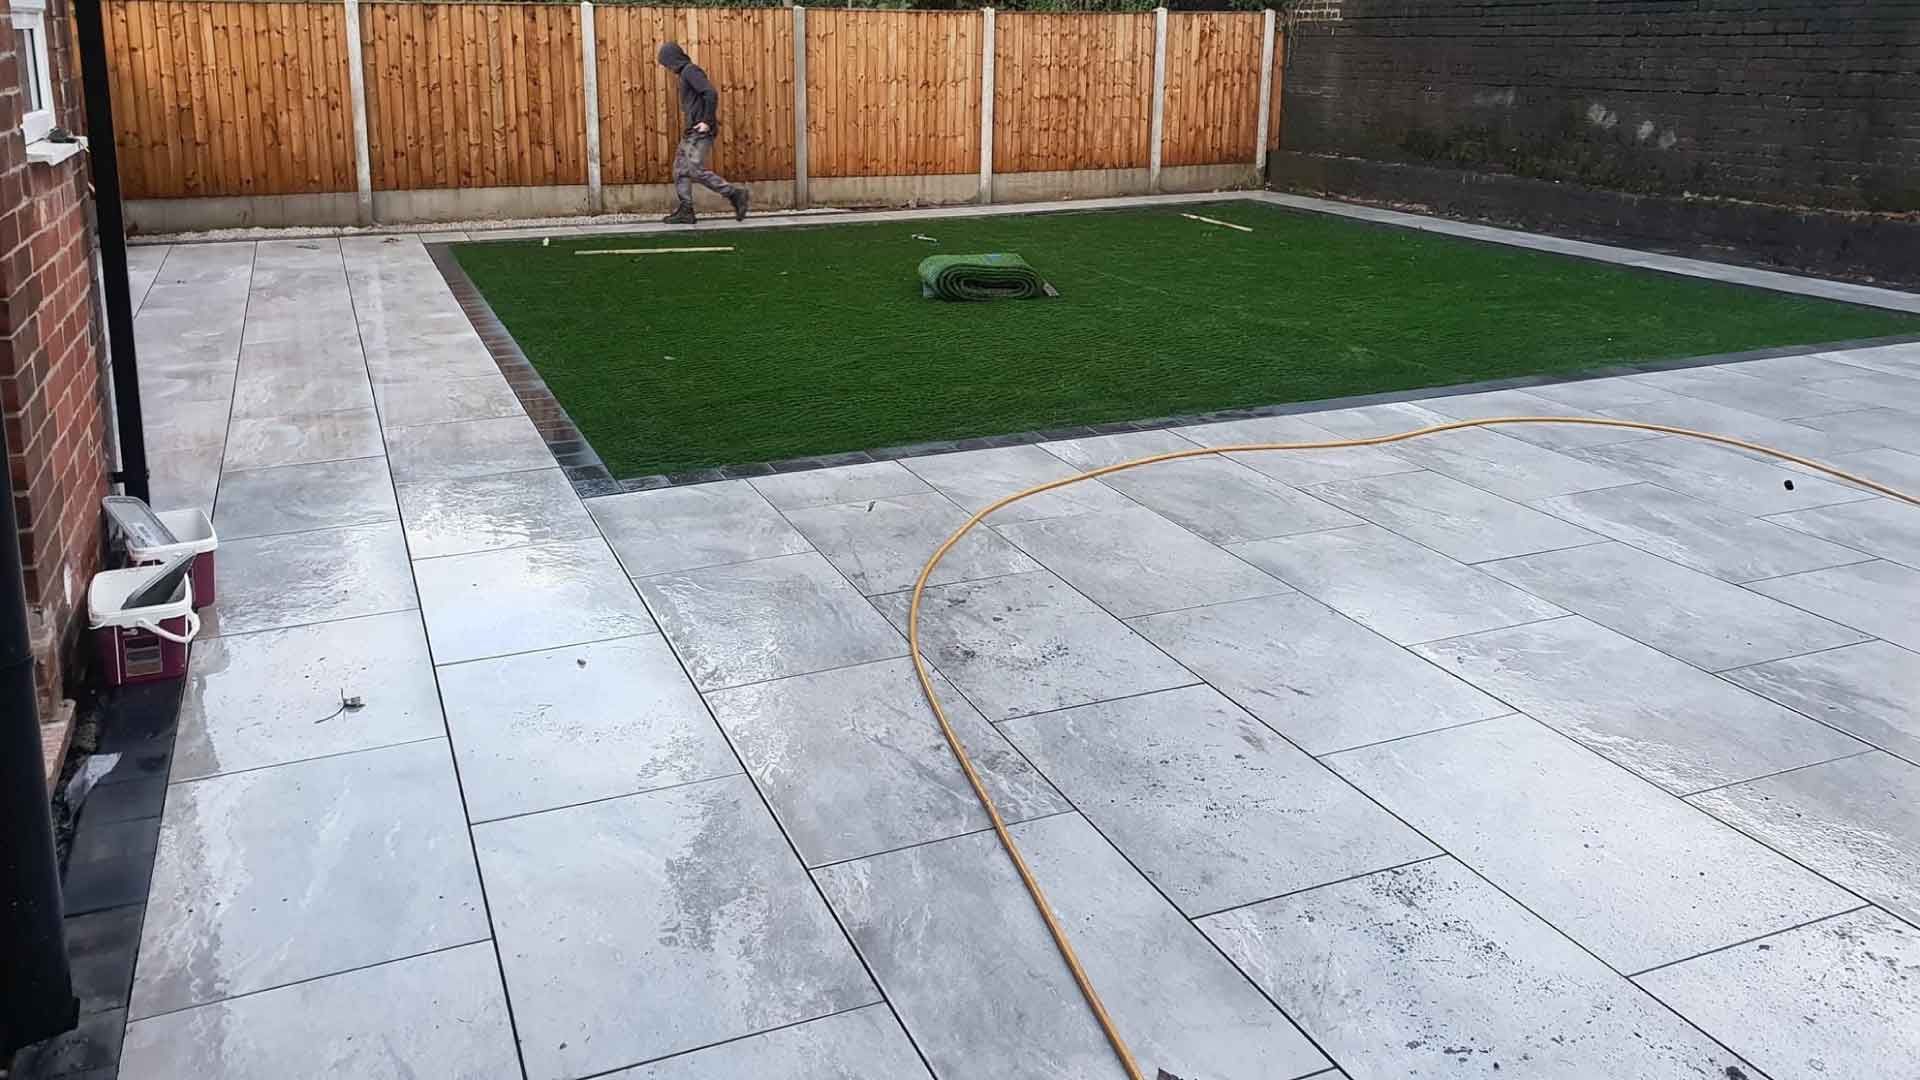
1207 802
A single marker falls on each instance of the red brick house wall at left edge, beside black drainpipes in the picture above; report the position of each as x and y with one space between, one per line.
51 345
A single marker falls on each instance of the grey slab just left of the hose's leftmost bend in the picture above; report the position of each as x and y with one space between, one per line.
767 620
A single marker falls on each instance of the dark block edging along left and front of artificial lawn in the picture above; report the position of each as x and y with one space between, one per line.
592 478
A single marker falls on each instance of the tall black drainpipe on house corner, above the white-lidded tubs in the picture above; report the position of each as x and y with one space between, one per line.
112 228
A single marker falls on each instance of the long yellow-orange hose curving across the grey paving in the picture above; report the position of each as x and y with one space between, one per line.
967 764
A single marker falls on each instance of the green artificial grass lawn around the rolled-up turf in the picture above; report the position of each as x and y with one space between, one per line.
817 341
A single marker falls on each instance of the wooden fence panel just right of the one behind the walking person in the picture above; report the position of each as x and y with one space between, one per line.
892 93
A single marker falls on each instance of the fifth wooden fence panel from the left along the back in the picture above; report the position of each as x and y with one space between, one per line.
1072 91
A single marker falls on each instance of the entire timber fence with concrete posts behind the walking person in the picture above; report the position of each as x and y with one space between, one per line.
339 112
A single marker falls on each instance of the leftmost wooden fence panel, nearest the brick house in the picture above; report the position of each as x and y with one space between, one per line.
229 99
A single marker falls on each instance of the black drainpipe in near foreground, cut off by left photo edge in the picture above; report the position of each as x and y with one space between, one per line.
36 985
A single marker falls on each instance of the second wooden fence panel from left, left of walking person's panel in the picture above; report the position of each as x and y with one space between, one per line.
473 95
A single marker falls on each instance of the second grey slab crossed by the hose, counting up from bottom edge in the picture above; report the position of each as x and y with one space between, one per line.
853 764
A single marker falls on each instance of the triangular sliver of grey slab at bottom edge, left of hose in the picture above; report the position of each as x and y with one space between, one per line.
865 1044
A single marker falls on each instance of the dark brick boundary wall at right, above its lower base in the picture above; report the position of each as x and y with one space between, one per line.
1798 103
